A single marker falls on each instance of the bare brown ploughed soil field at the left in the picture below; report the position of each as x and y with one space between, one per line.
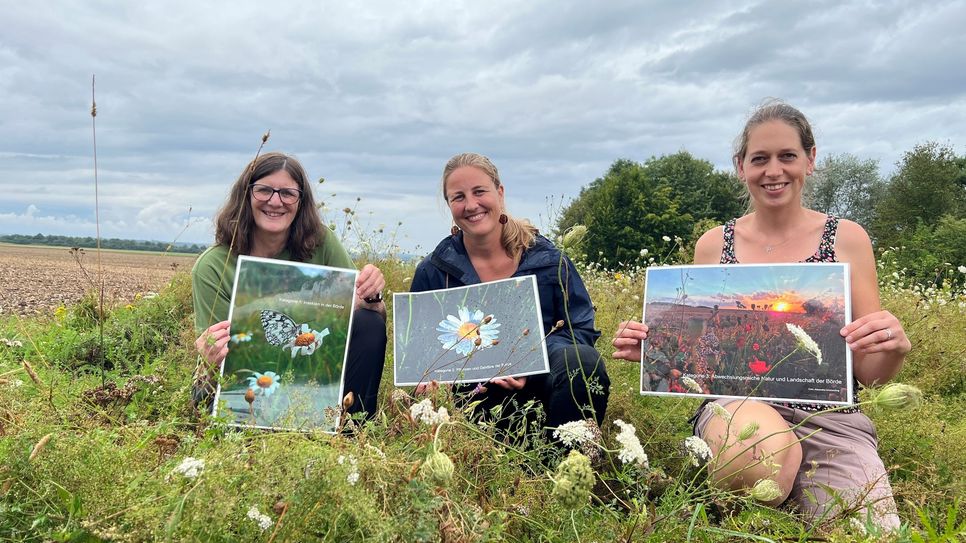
37 279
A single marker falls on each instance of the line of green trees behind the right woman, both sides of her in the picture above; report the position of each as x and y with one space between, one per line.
665 203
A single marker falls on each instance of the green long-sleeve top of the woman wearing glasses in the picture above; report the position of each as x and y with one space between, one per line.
213 275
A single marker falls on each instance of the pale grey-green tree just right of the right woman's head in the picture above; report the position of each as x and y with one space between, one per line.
847 187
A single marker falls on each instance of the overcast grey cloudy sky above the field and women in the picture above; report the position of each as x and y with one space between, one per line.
375 96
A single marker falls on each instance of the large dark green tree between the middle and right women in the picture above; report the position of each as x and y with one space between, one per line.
641 206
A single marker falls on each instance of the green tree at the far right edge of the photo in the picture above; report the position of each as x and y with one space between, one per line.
930 183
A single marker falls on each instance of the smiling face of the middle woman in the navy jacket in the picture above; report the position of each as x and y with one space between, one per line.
475 201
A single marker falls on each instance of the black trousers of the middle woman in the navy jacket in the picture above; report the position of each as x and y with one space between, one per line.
576 388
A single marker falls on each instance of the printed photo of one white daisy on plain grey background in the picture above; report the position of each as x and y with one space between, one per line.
469 334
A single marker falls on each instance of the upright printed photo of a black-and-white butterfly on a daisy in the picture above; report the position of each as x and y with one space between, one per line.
290 324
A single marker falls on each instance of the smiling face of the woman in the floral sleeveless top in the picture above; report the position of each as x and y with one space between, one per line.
775 164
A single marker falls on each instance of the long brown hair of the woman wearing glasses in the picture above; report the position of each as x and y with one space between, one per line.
235 223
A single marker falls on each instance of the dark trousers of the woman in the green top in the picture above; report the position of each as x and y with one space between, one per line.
364 365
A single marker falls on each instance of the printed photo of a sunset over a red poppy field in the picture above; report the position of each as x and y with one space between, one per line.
768 331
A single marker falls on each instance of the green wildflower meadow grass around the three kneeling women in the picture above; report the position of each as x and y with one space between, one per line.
84 461
